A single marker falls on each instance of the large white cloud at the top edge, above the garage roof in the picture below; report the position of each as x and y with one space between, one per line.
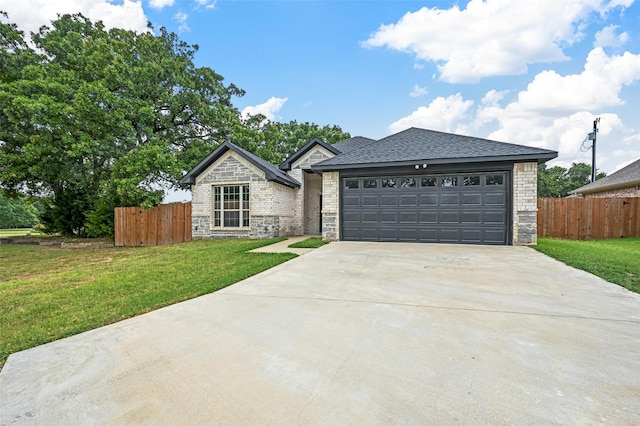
490 37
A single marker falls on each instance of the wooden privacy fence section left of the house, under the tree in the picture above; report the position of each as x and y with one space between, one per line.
165 224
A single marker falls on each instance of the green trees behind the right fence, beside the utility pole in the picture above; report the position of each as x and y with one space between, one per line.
557 182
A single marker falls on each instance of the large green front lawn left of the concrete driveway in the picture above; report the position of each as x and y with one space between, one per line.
47 293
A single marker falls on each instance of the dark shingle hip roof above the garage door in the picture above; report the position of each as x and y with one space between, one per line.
431 147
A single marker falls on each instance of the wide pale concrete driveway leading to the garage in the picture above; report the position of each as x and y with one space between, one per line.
355 333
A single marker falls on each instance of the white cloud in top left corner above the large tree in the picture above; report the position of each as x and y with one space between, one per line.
30 15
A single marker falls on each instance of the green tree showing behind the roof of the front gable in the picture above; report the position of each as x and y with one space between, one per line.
275 141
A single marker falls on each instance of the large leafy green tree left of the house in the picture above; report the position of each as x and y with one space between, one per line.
94 118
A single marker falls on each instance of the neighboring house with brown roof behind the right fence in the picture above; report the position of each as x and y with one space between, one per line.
623 183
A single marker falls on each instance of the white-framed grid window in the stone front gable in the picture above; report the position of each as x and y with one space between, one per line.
231 206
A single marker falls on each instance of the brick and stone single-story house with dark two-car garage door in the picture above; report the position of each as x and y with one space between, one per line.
414 186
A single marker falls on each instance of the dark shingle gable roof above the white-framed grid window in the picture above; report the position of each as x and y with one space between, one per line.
271 171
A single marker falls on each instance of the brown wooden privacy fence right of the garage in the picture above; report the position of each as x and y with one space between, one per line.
588 218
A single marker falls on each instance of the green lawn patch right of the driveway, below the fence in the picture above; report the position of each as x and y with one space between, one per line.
615 260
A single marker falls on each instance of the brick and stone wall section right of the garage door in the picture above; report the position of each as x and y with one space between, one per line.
525 203
